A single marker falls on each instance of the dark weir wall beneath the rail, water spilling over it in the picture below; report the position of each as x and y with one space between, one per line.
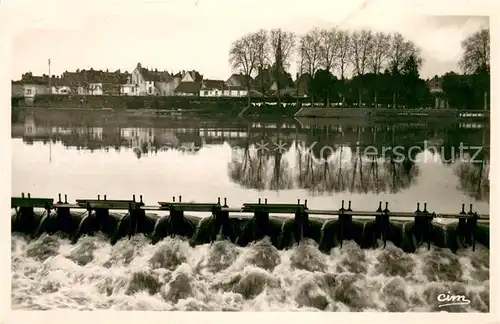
283 232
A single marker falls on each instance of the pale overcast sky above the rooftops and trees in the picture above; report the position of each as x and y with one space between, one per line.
196 34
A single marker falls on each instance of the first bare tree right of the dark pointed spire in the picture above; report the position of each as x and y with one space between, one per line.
310 53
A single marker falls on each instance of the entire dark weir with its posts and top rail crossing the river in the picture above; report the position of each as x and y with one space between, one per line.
119 219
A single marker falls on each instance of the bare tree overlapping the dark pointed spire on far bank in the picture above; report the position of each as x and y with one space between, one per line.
282 44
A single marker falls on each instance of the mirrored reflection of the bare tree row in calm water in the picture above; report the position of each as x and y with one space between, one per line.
335 170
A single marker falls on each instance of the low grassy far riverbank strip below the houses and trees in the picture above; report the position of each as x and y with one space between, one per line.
156 106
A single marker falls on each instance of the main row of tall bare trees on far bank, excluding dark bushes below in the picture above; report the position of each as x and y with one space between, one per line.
331 52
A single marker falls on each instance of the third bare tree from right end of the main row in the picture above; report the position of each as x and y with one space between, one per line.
361 48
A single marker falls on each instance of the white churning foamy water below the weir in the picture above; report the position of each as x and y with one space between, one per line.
50 273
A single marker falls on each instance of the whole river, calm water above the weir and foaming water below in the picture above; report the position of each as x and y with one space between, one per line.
281 161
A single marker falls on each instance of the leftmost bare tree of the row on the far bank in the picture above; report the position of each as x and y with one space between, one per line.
243 57
